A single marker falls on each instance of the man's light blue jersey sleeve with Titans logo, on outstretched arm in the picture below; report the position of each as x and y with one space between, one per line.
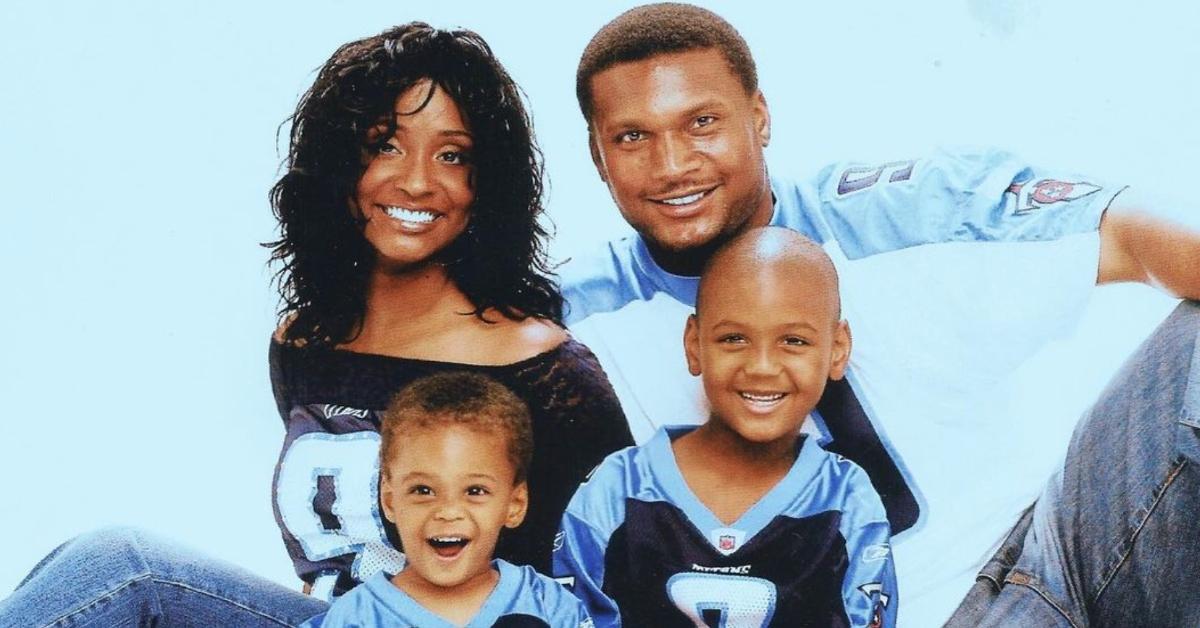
965 196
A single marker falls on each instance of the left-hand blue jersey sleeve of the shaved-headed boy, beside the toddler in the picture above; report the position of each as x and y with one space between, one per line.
579 565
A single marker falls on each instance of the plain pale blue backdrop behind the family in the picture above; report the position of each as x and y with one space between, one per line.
139 141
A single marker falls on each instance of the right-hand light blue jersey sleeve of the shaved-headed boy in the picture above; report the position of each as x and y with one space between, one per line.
869 590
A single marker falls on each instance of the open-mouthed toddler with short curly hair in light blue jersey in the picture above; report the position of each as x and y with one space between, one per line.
454 453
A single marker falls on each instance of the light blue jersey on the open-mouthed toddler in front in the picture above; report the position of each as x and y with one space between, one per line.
523 599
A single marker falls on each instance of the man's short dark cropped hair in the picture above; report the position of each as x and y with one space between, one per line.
651 31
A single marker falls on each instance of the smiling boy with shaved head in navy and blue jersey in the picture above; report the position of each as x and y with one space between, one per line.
742 522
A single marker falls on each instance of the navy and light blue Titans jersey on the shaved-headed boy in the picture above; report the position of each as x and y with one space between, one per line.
641 549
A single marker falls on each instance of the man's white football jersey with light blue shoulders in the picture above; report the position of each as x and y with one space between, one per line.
955 271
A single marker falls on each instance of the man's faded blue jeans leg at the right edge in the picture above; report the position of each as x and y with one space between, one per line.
1115 537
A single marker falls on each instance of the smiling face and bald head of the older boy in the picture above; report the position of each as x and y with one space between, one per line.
766 338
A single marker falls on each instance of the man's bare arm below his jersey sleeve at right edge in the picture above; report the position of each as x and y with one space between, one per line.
1141 247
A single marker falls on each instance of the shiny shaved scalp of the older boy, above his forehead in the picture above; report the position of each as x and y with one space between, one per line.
773 250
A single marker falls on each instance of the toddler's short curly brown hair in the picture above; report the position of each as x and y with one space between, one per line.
472 400
